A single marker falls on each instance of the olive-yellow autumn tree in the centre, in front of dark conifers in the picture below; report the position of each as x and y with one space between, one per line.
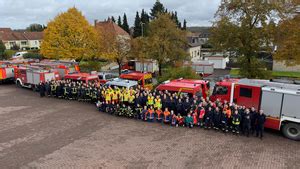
165 43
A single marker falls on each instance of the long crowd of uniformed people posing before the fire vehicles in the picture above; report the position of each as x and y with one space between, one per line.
166 107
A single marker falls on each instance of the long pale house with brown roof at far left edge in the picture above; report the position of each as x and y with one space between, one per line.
24 40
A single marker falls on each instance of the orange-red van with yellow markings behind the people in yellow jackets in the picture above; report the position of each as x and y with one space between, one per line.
143 79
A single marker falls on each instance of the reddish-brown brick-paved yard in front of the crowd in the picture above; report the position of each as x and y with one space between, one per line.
50 133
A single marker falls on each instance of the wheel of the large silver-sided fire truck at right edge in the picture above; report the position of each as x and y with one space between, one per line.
292 131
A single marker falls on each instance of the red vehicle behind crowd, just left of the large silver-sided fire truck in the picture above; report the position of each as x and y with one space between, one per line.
183 86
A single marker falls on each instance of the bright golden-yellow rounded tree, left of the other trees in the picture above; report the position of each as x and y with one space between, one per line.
70 36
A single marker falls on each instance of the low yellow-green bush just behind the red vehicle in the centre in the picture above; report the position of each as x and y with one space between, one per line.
178 72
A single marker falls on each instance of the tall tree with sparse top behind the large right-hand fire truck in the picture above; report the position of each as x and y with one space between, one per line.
246 27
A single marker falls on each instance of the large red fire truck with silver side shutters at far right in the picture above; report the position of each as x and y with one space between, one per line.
278 101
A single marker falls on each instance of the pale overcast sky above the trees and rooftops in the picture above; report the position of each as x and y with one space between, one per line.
18 14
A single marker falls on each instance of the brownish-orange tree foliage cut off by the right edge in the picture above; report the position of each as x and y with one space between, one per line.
288 41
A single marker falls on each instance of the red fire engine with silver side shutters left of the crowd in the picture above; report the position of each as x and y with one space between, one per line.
30 77
